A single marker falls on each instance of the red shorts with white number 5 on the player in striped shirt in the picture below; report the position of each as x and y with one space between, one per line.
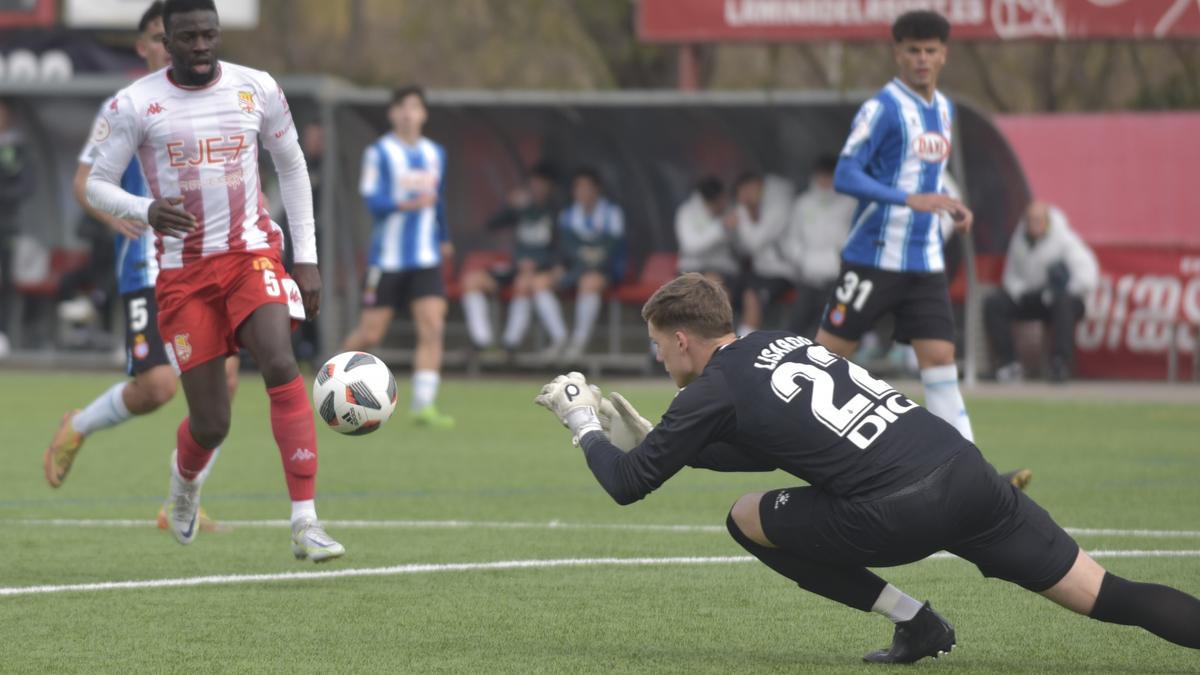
202 306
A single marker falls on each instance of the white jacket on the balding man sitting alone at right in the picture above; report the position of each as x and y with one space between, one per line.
1027 267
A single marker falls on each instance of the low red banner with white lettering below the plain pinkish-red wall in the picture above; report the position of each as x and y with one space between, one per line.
1148 300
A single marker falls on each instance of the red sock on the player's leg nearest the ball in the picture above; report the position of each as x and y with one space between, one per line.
297 438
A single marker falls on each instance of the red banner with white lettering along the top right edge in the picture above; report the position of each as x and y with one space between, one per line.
759 21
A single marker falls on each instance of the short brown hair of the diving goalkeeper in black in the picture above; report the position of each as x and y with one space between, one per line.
692 303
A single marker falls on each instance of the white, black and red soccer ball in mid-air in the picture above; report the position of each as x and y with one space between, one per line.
355 393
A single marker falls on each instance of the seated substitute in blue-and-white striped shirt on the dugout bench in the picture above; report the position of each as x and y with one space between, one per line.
593 243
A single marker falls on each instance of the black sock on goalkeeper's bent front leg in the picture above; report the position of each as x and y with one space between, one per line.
853 587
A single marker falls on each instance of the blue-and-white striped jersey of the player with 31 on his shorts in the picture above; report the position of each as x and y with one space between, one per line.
899 146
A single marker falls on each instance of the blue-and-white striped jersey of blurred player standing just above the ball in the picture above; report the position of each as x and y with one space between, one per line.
394 172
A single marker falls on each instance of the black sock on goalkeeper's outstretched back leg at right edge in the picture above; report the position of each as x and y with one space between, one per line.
1165 612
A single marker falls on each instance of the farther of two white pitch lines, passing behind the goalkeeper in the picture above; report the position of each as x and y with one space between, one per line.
519 525
